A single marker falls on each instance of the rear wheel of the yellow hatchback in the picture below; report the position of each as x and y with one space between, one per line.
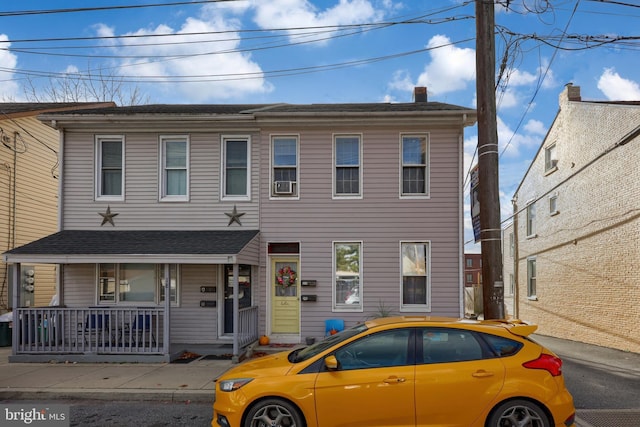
518 413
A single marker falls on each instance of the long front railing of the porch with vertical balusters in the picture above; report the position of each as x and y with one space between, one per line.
91 330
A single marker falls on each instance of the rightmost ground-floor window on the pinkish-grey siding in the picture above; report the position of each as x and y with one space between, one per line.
415 264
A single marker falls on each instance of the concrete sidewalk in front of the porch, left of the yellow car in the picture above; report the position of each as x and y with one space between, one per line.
173 382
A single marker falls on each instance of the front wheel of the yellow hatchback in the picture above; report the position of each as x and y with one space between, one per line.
273 412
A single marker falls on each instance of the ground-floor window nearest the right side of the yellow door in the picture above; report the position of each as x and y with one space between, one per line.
347 284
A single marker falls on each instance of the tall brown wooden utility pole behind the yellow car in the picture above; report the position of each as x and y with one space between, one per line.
489 196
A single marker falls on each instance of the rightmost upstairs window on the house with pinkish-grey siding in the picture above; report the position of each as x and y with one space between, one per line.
414 168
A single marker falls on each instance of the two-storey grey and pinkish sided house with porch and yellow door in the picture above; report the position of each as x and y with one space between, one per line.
209 224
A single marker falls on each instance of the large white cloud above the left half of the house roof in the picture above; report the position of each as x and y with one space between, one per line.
219 71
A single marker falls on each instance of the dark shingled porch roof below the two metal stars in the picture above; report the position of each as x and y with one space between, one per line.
157 242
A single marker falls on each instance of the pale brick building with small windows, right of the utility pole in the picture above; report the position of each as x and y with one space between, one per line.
577 225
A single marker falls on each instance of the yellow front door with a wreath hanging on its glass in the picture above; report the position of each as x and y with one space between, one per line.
285 289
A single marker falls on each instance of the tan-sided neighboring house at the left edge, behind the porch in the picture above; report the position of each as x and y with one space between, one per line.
29 169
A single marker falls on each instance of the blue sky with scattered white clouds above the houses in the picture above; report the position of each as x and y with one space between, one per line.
331 51
